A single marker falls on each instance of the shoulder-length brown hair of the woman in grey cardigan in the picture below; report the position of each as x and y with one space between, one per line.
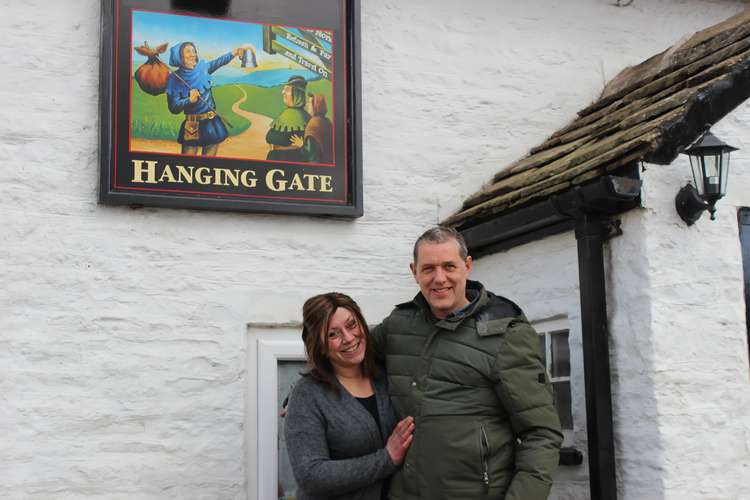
316 315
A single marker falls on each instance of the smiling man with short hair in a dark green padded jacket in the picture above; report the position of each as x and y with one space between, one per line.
466 364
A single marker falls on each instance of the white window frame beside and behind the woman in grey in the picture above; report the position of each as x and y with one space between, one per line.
267 345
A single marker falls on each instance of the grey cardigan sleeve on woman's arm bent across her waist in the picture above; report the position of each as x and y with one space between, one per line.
314 470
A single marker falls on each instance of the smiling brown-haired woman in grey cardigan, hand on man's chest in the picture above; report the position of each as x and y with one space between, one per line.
340 429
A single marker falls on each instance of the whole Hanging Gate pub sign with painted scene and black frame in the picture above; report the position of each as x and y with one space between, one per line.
244 105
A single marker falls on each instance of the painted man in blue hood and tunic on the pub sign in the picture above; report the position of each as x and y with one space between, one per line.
189 91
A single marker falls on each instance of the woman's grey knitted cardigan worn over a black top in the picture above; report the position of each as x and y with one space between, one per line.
335 448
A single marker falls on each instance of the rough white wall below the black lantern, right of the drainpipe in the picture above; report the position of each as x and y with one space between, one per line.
699 375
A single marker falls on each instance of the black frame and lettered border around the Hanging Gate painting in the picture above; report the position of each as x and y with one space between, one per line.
286 187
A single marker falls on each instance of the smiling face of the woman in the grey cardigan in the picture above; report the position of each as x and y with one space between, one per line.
345 340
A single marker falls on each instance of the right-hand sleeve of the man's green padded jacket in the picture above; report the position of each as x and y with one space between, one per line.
526 394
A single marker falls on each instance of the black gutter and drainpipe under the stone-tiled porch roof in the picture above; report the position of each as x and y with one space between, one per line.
587 209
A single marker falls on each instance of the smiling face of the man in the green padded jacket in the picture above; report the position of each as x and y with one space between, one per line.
441 274
